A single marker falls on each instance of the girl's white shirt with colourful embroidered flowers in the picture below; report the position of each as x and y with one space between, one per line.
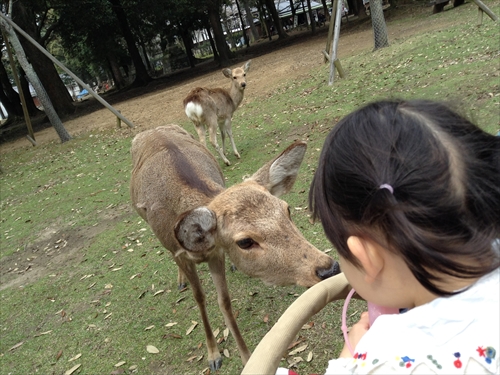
450 335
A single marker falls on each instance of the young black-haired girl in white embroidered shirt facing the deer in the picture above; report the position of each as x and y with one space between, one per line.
408 192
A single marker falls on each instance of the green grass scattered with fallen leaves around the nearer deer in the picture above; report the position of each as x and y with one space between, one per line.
75 196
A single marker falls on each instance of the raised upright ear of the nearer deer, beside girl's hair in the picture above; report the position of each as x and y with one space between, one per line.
279 174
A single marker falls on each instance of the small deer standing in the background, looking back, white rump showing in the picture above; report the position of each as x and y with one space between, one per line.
209 107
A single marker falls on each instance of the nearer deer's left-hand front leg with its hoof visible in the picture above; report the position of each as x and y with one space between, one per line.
214 357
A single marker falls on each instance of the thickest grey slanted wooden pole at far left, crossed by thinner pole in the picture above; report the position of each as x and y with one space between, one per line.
30 72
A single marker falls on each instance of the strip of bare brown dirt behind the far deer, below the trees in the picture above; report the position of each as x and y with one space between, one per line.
161 101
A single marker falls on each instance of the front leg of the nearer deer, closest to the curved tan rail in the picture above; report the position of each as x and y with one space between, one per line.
218 273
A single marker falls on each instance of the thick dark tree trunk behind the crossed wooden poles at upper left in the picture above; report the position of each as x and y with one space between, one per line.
44 68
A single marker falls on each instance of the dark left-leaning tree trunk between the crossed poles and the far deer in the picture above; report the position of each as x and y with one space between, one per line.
142 77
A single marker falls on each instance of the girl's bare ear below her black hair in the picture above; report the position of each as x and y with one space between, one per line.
368 255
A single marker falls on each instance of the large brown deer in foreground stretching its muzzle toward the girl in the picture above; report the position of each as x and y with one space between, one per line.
177 186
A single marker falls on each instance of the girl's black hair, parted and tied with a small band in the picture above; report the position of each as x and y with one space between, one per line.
444 210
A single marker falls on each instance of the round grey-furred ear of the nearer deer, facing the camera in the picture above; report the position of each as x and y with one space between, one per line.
195 229
